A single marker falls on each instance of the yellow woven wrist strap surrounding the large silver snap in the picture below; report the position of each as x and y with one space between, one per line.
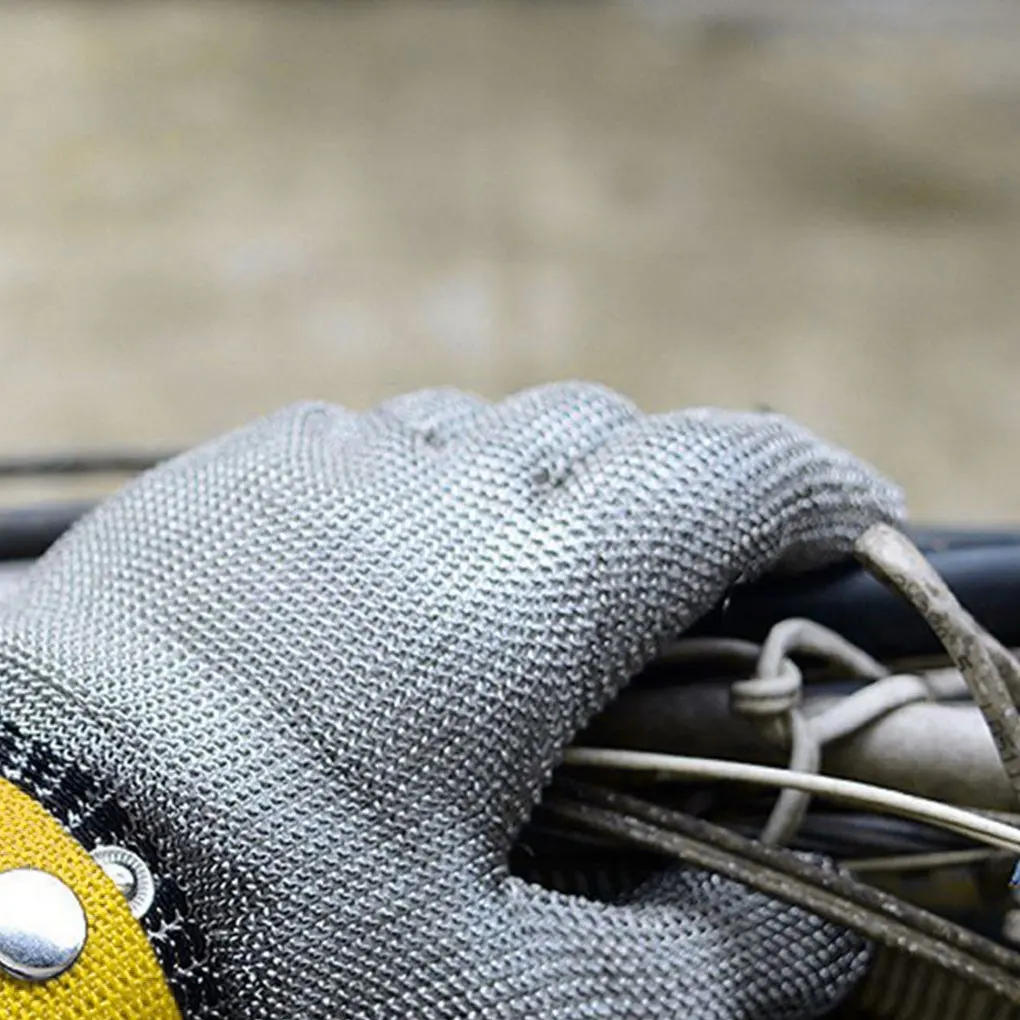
118 975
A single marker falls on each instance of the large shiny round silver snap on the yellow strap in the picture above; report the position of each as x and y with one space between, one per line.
42 926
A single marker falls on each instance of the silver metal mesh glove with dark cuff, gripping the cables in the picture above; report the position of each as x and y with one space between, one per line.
320 670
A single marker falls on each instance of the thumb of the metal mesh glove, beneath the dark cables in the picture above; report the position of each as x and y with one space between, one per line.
688 944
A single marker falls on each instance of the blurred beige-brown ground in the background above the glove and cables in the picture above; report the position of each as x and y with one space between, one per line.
208 211
